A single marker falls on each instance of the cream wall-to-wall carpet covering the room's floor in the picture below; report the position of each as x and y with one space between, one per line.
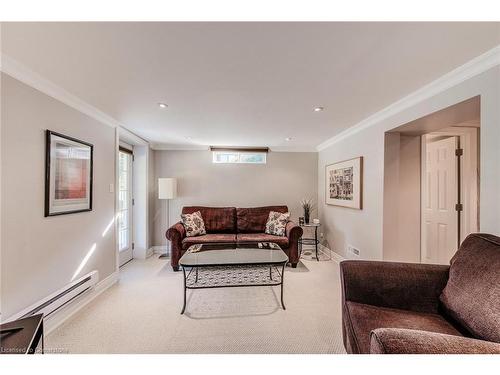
141 314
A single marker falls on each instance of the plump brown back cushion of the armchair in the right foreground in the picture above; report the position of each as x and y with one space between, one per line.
472 295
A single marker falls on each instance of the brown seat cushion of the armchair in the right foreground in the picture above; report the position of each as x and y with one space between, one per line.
365 318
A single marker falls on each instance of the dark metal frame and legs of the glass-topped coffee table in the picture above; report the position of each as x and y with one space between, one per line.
279 267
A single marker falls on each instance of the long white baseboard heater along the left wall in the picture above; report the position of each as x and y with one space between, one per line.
50 304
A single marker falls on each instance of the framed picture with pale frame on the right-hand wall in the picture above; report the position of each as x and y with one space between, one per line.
344 183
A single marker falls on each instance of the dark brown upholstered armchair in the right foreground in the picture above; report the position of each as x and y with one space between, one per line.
421 308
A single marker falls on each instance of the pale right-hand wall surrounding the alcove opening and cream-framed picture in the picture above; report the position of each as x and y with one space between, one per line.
363 228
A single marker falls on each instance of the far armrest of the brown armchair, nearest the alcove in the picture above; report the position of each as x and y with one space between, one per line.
407 286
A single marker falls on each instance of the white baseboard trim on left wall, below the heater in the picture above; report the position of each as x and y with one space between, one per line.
66 312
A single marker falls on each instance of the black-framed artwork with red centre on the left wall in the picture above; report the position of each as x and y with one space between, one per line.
68 174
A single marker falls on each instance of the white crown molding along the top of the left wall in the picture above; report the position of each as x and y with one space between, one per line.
27 76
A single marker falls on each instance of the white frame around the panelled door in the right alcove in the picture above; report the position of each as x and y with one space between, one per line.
469 181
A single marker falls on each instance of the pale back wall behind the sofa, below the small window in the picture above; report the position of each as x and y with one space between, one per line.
287 178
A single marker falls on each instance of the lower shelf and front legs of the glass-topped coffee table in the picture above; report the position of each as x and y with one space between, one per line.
231 276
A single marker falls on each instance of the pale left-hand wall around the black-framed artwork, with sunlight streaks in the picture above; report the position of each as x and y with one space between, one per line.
39 254
